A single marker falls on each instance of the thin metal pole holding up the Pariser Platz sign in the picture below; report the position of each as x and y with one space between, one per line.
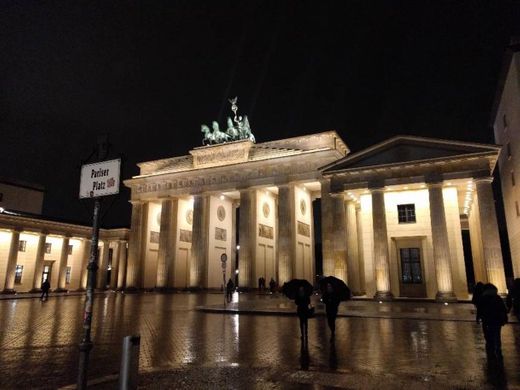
86 343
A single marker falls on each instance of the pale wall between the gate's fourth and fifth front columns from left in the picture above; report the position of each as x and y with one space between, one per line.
265 253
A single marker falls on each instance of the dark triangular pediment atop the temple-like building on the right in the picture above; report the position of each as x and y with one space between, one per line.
408 149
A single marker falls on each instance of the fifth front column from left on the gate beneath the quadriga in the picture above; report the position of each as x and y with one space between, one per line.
286 233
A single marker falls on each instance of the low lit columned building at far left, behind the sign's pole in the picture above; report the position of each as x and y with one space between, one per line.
35 249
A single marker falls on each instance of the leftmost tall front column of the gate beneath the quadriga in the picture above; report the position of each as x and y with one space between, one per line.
134 267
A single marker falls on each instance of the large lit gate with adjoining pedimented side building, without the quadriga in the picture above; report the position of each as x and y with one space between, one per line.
392 216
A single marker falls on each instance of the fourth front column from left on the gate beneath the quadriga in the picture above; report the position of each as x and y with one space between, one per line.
247 231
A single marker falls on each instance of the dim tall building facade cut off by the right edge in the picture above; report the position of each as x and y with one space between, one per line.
506 125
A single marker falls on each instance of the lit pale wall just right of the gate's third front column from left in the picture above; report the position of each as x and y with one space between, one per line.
217 246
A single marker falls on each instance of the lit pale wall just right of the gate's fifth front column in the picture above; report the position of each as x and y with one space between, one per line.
304 259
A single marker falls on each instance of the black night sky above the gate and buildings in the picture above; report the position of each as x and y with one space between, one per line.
149 73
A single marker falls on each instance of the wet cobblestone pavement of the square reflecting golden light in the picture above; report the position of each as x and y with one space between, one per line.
191 349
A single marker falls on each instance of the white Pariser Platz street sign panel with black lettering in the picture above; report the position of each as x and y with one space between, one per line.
100 179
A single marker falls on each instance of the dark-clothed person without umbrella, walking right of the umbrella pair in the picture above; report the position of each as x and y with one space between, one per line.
493 313
